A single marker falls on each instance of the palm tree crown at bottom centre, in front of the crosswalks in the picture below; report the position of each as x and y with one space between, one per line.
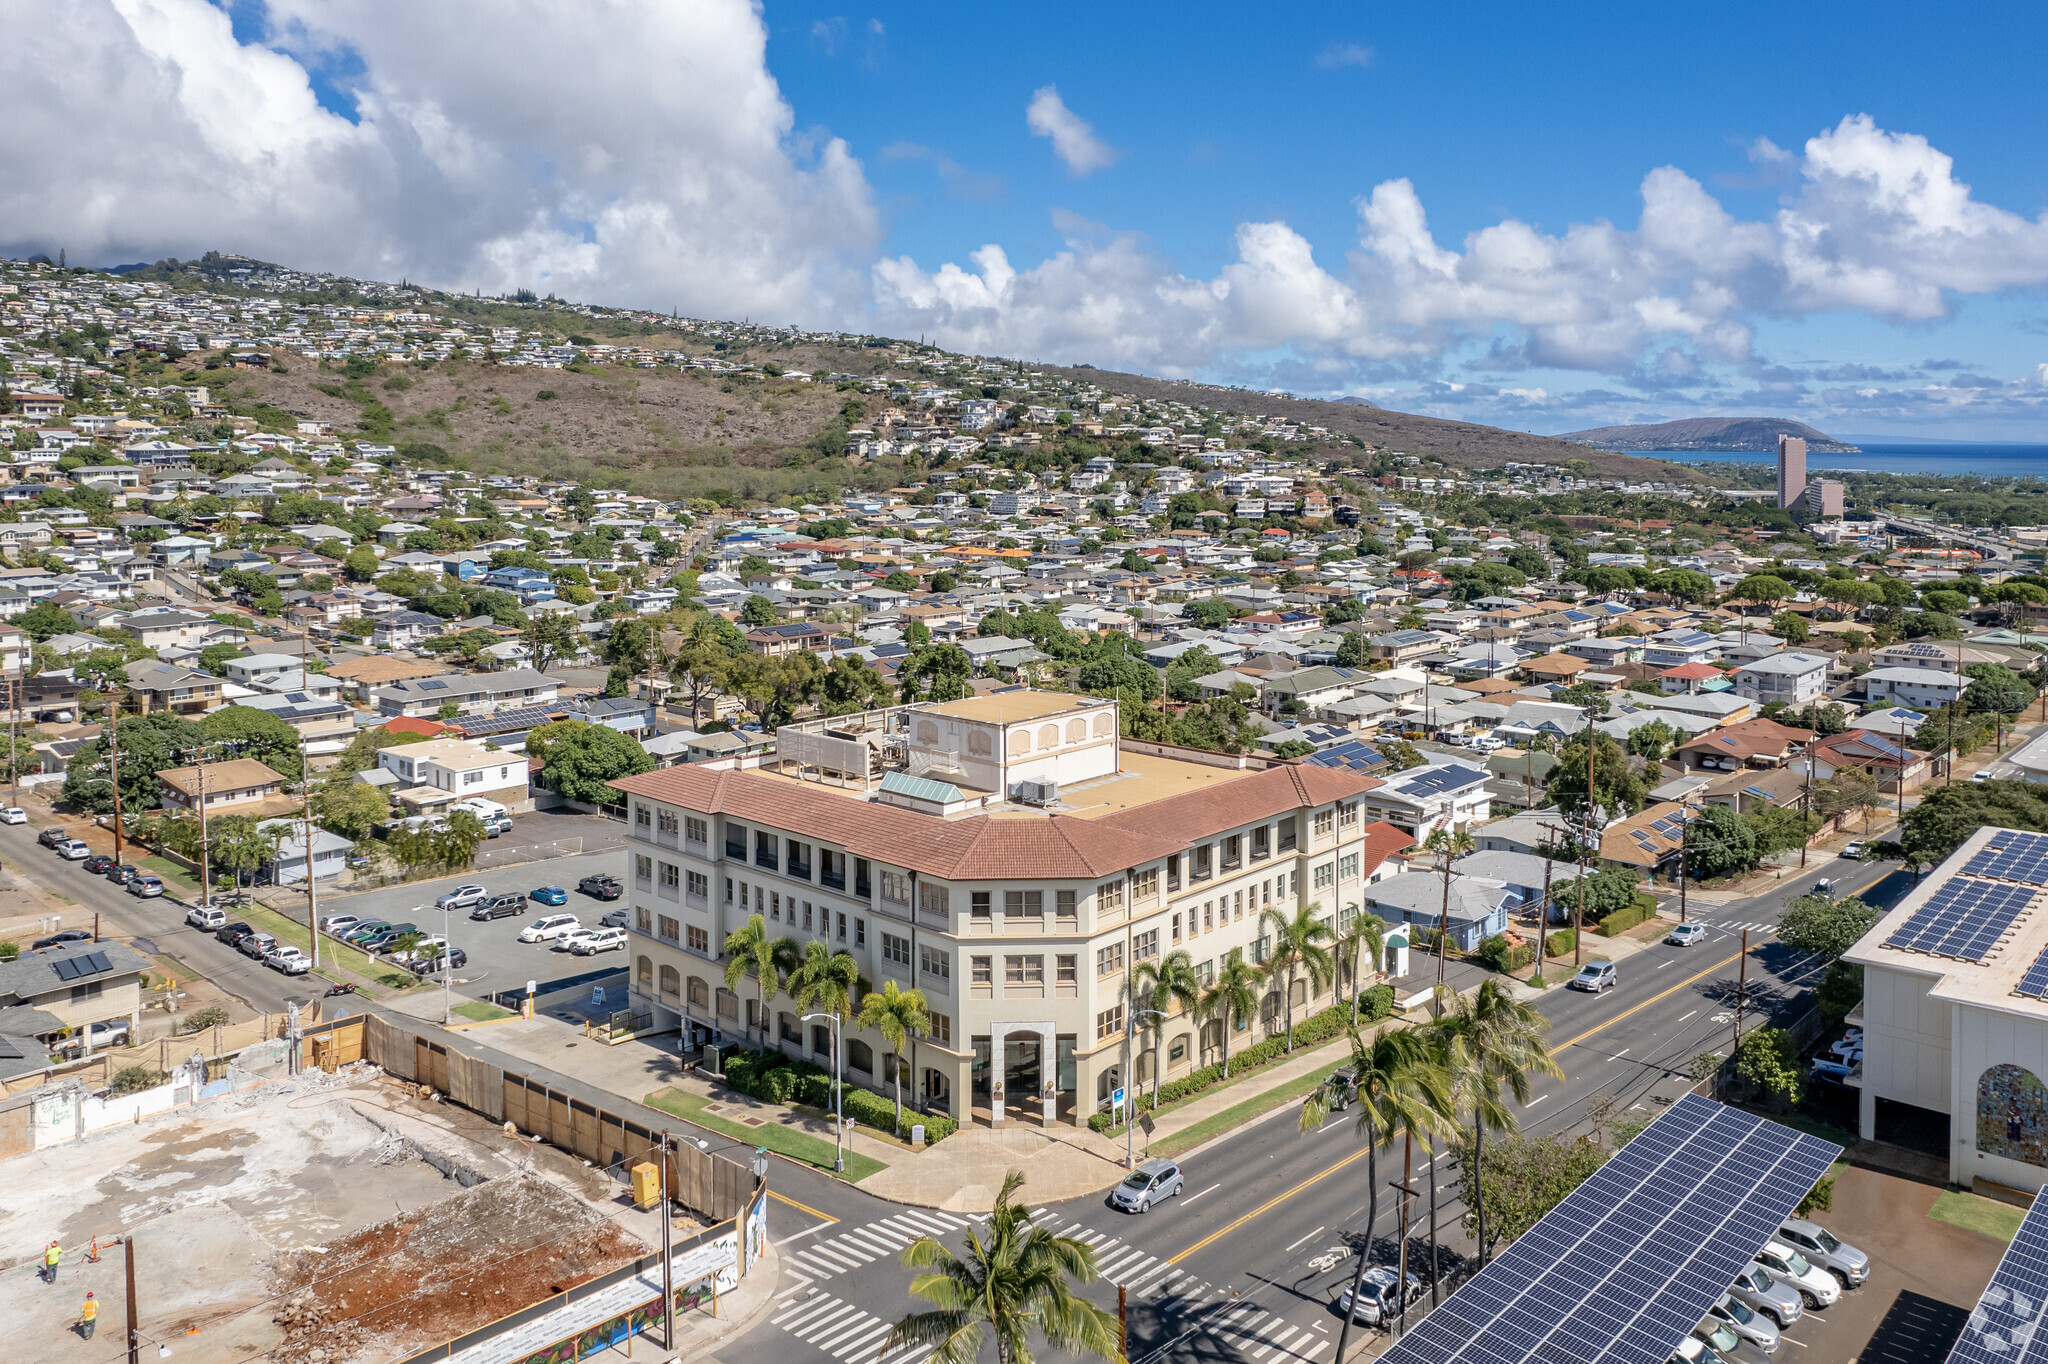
1013 1281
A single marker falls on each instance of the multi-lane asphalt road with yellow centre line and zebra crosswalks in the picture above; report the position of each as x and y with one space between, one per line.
1250 1261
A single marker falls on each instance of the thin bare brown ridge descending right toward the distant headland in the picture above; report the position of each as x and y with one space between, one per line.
1463 445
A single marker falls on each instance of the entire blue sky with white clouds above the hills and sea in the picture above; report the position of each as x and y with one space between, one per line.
1547 220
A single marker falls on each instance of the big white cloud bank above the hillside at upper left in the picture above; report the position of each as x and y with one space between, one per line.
144 128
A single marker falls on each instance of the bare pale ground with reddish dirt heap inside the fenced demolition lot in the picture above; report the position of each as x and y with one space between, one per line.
316 1220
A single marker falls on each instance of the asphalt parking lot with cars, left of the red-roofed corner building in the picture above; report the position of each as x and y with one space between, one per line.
497 957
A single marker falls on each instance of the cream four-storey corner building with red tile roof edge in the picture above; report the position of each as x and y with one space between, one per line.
1015 861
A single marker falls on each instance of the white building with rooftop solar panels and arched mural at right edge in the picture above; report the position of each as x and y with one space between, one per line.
1957 1037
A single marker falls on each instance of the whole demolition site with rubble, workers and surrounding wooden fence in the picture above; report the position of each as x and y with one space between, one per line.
343 1213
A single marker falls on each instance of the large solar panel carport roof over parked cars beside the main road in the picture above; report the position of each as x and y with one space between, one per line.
1633 1259
